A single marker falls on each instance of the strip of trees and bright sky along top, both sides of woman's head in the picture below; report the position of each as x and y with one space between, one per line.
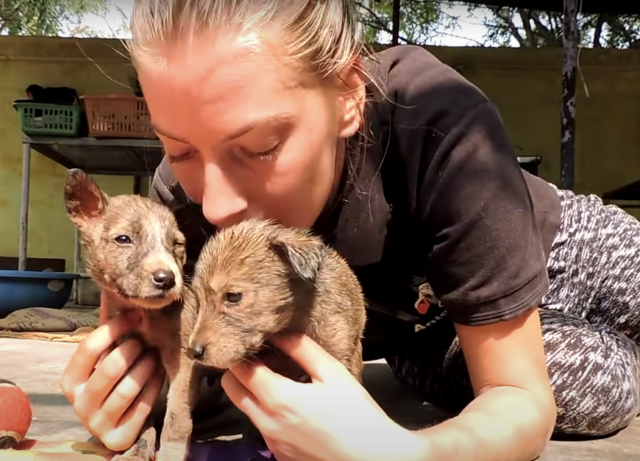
422 22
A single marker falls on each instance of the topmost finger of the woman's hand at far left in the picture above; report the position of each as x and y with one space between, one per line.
83 361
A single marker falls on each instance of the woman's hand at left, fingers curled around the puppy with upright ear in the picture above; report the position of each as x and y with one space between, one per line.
111 397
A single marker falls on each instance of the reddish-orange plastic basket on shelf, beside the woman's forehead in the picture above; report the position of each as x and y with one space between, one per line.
117 116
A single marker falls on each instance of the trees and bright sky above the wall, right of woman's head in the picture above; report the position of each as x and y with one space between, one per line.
429 21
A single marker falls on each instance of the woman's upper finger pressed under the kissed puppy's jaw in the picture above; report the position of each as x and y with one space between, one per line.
313 359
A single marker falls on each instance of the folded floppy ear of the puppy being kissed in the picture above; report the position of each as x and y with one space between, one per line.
303 254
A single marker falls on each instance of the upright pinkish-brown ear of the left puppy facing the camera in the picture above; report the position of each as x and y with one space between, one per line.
83 198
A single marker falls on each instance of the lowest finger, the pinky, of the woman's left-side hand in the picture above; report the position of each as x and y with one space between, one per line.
129 426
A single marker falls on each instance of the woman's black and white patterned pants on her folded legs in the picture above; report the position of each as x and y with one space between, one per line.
590 325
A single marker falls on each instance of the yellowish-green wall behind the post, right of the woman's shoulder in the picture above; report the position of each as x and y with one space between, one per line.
526 86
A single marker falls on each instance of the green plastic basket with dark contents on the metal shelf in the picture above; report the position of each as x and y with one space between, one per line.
49 119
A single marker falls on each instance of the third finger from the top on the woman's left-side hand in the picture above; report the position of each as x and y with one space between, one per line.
128 389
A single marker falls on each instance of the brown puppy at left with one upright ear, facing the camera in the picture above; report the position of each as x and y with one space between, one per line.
134 248
